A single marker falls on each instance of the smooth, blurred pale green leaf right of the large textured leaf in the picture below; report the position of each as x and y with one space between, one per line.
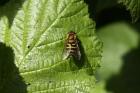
118 38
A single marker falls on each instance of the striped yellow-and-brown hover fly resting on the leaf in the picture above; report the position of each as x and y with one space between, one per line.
71 48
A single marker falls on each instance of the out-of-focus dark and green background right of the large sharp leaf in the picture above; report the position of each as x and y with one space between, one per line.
120 67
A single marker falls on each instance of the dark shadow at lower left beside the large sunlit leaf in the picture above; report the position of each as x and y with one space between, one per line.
10 80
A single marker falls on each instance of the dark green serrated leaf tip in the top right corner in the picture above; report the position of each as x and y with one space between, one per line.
133 6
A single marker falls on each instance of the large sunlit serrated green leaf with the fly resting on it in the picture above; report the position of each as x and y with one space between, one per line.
37 37
